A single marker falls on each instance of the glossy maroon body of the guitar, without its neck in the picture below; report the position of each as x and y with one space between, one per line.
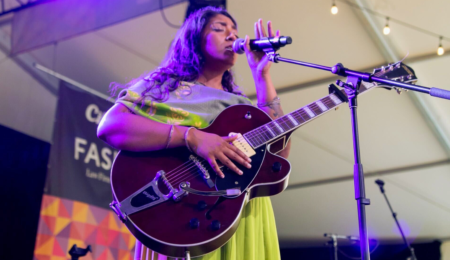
172 228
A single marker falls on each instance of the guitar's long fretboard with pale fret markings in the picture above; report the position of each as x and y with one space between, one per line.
287 123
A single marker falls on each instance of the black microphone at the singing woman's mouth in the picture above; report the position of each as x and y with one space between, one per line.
272 43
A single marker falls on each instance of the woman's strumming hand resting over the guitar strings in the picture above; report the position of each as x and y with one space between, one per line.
212 147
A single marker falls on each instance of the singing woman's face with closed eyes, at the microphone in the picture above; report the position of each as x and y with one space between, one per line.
217 41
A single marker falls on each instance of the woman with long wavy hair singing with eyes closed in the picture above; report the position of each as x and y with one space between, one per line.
165 109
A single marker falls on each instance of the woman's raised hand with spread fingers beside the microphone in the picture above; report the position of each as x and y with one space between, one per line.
257 60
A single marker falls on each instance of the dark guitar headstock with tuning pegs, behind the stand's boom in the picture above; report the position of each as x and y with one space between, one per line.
397 72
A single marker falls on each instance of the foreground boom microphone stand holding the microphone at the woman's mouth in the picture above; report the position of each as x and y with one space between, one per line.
351 87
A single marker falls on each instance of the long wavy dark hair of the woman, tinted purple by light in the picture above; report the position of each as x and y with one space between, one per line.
185 59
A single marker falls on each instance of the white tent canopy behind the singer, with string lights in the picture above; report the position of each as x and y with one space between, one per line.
395 131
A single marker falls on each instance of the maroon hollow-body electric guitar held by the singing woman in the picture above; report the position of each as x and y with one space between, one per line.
172 201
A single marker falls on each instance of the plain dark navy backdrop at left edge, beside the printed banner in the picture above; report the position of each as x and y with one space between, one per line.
23 166
